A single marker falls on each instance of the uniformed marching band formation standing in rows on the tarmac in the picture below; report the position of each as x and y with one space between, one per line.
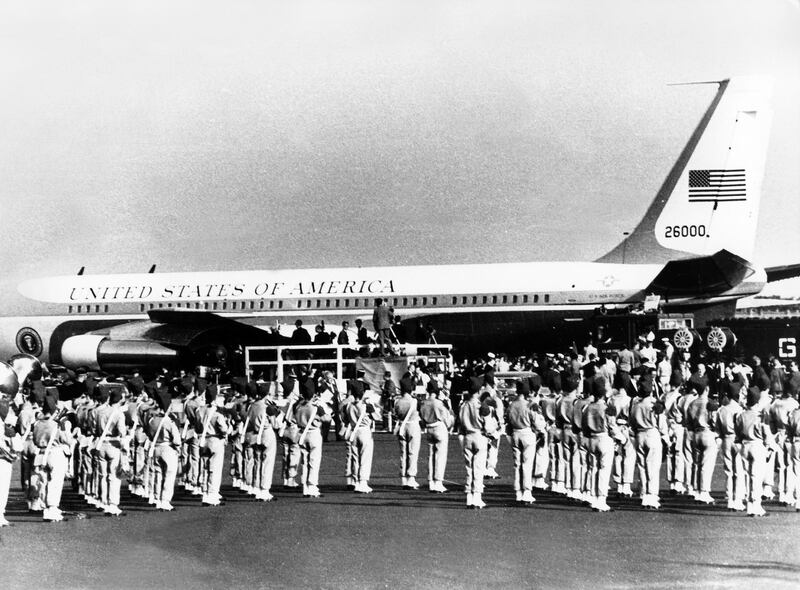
575 423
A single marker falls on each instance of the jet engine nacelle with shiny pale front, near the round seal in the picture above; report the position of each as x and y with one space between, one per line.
97 352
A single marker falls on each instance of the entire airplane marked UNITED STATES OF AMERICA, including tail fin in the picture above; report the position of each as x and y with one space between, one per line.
692 249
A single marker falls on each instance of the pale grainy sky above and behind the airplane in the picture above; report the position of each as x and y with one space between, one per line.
247 135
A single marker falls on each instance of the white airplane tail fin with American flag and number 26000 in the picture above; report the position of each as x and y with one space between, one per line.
710 199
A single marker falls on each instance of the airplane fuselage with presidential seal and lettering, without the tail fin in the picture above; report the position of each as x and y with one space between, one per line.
464 301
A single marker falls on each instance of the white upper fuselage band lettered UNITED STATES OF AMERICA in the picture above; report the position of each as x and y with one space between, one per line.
458 280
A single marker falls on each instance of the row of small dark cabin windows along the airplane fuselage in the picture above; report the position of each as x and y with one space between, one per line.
320 303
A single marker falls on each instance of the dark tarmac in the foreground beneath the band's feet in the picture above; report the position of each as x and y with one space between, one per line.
399 538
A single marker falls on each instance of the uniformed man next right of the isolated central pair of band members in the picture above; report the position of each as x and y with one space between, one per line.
471 434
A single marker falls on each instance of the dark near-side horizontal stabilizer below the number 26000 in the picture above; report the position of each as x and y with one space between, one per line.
701 276
